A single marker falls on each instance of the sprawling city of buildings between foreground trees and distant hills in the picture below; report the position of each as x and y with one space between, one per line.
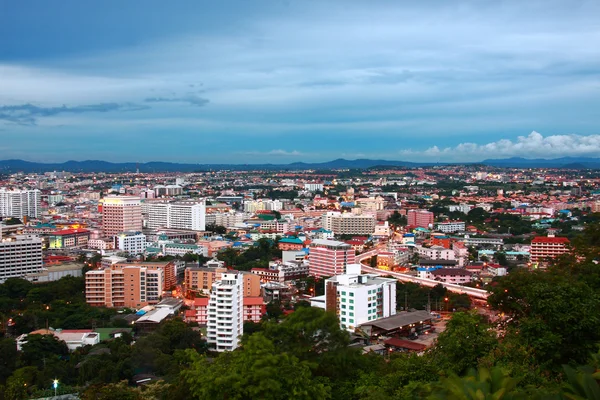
394 260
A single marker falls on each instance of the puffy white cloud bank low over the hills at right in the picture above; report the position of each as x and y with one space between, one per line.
535 145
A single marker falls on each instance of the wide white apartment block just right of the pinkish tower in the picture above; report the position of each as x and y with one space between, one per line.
176 215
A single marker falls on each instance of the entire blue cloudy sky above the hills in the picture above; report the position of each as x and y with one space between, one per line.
281 81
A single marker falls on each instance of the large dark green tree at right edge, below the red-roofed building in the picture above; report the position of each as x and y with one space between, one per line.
554 314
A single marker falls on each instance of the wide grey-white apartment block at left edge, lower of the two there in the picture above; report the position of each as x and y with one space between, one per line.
20 255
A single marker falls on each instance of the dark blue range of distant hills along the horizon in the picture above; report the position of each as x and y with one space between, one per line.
340 163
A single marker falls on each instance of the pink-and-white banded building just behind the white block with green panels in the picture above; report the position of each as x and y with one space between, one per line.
329 257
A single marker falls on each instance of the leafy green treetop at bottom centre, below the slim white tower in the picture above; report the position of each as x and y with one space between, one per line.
257 371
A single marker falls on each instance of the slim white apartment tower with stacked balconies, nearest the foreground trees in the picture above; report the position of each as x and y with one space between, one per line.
225 324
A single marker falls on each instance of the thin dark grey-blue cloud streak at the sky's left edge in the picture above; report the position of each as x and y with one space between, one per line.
27 114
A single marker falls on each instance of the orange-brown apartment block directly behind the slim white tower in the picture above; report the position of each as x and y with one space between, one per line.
201 279
